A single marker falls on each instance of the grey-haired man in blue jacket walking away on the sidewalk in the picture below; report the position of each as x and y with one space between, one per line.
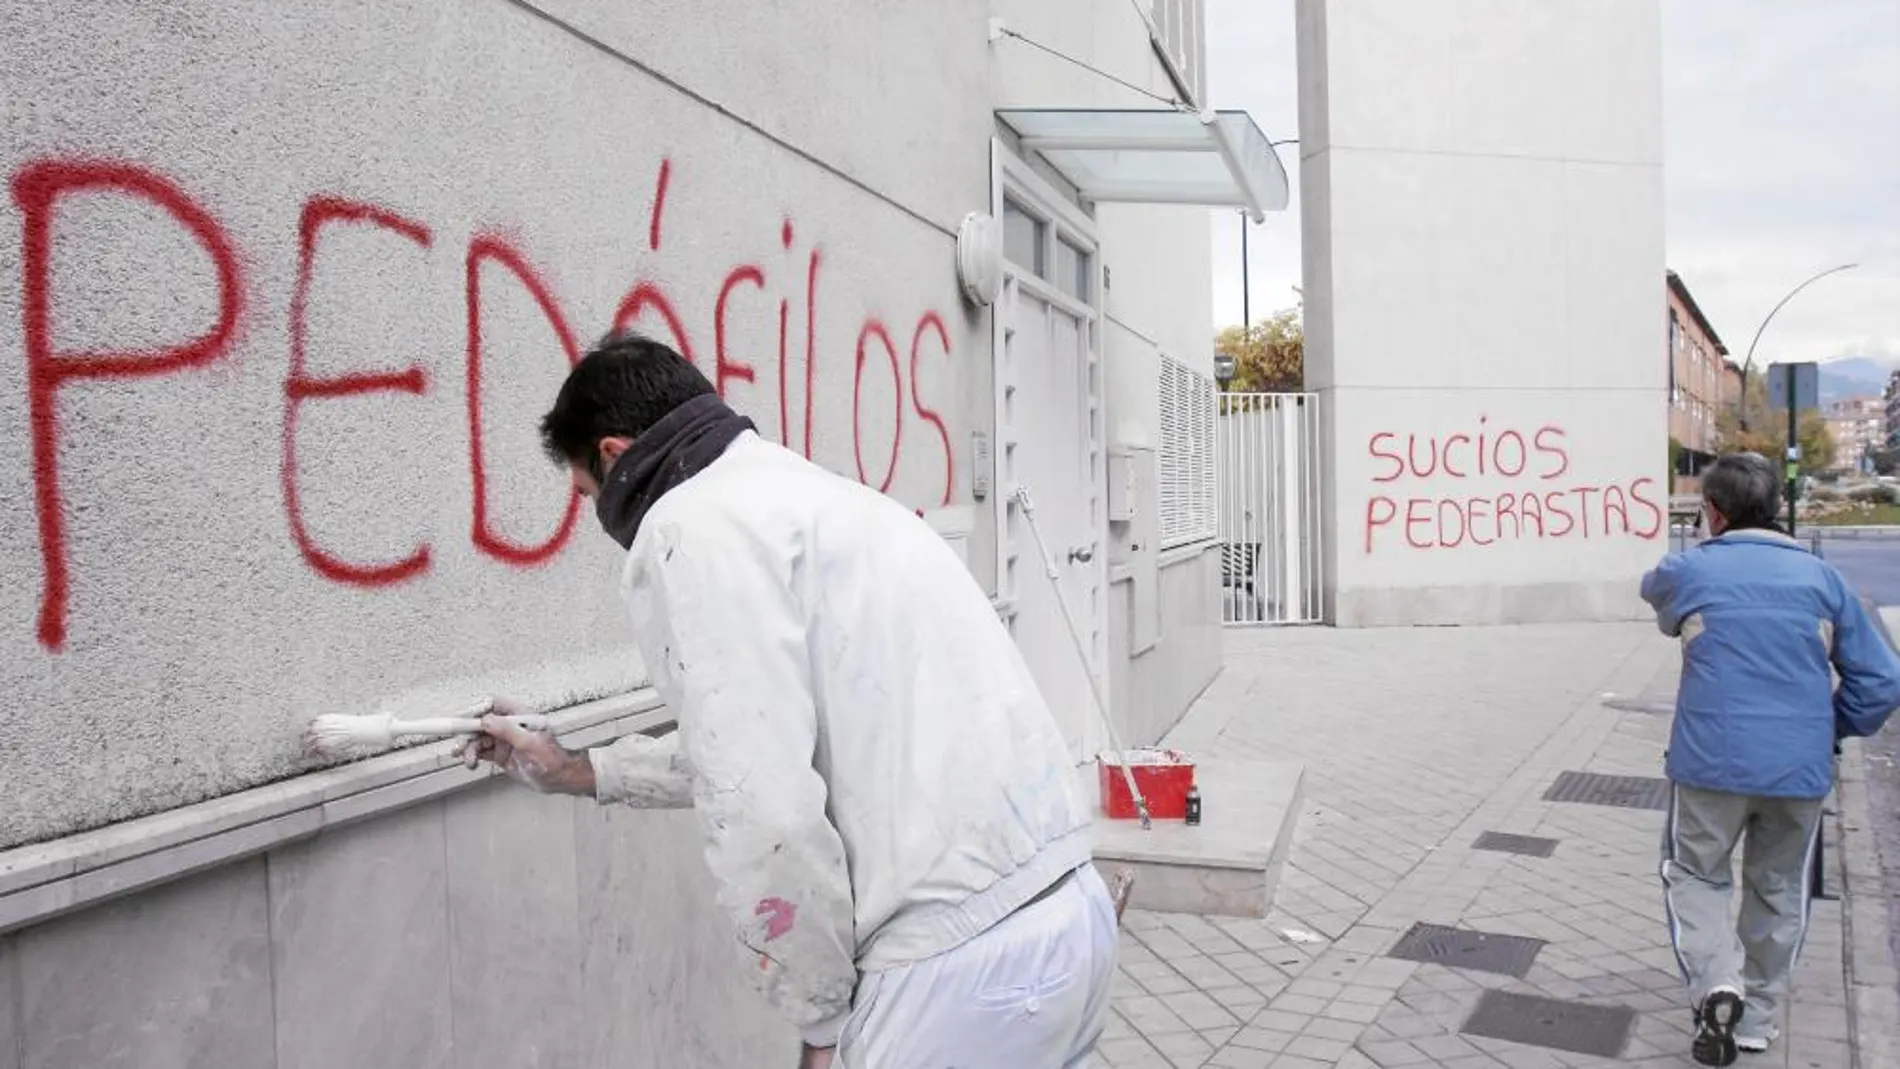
1764 626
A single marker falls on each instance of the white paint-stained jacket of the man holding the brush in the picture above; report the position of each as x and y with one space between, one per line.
875 772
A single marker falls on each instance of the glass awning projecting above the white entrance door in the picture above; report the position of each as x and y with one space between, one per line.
1158 157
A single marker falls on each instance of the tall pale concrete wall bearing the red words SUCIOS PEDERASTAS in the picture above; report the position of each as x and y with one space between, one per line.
1483 223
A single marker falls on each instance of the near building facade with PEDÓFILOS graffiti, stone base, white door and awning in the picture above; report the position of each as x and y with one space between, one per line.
284 301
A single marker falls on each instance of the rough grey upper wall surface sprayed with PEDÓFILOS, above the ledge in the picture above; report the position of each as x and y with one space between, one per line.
282 297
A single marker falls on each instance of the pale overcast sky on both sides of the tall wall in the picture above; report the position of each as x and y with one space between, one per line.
1783 159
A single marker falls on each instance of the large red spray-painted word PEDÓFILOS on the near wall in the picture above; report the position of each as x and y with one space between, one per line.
748 297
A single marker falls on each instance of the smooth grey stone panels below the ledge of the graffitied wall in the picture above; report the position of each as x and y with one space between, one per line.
487 931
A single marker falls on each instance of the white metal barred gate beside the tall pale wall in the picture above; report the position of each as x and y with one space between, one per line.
1266 472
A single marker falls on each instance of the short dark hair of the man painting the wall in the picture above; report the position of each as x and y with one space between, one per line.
624 386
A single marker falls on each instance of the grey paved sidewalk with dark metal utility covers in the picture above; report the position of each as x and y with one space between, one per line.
1416 743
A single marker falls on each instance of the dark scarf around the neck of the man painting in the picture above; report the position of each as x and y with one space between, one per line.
675 449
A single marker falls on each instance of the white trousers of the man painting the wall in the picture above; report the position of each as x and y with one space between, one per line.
1029 994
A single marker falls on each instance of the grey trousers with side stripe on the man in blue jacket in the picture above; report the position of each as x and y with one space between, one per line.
1755 954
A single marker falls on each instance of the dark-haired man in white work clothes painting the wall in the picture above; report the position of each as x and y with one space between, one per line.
890 808
